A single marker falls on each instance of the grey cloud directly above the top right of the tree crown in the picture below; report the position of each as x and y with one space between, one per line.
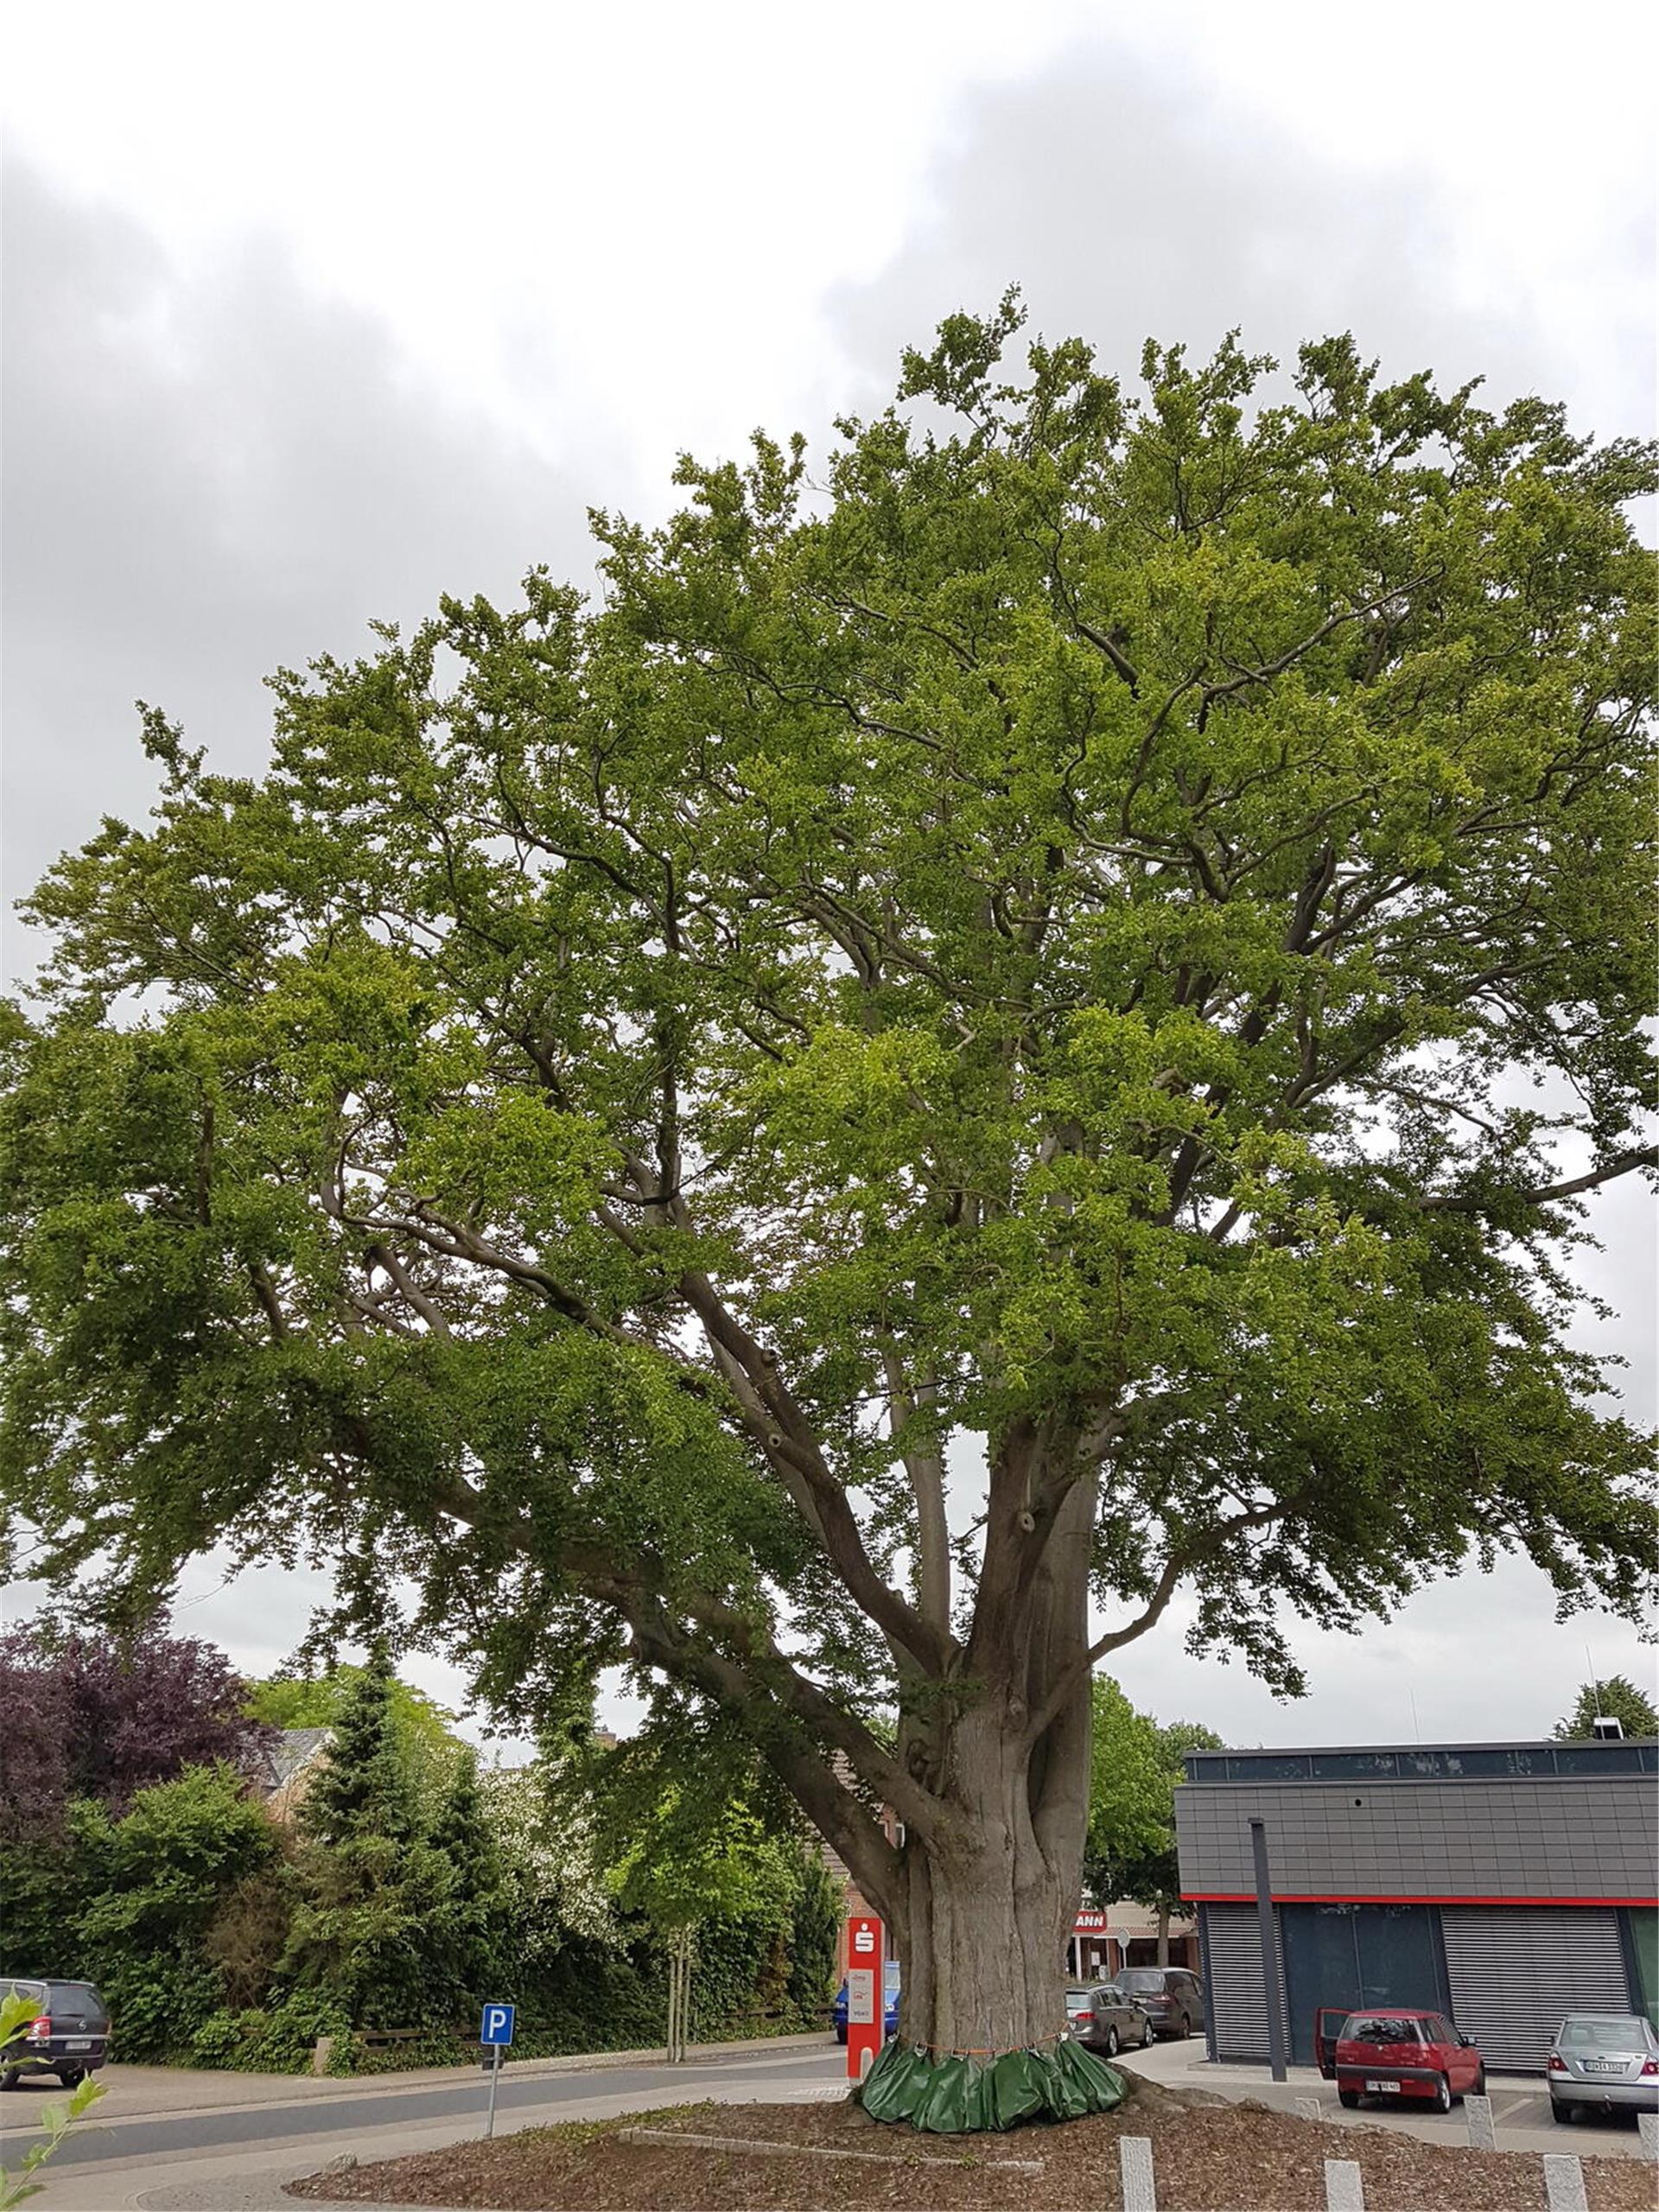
1131 205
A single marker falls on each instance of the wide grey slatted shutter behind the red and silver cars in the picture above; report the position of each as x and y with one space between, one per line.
1516 1970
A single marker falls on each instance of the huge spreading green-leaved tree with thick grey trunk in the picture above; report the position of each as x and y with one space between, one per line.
988 1039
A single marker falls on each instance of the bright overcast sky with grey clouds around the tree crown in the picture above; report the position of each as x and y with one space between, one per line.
317 313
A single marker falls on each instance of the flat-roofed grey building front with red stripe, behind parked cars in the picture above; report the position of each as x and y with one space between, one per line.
1503 1884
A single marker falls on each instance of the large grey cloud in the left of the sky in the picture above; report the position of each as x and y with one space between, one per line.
211 474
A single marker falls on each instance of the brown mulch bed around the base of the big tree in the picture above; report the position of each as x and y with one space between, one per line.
1209 2158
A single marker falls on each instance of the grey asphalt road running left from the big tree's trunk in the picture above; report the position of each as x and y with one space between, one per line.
331 2122
